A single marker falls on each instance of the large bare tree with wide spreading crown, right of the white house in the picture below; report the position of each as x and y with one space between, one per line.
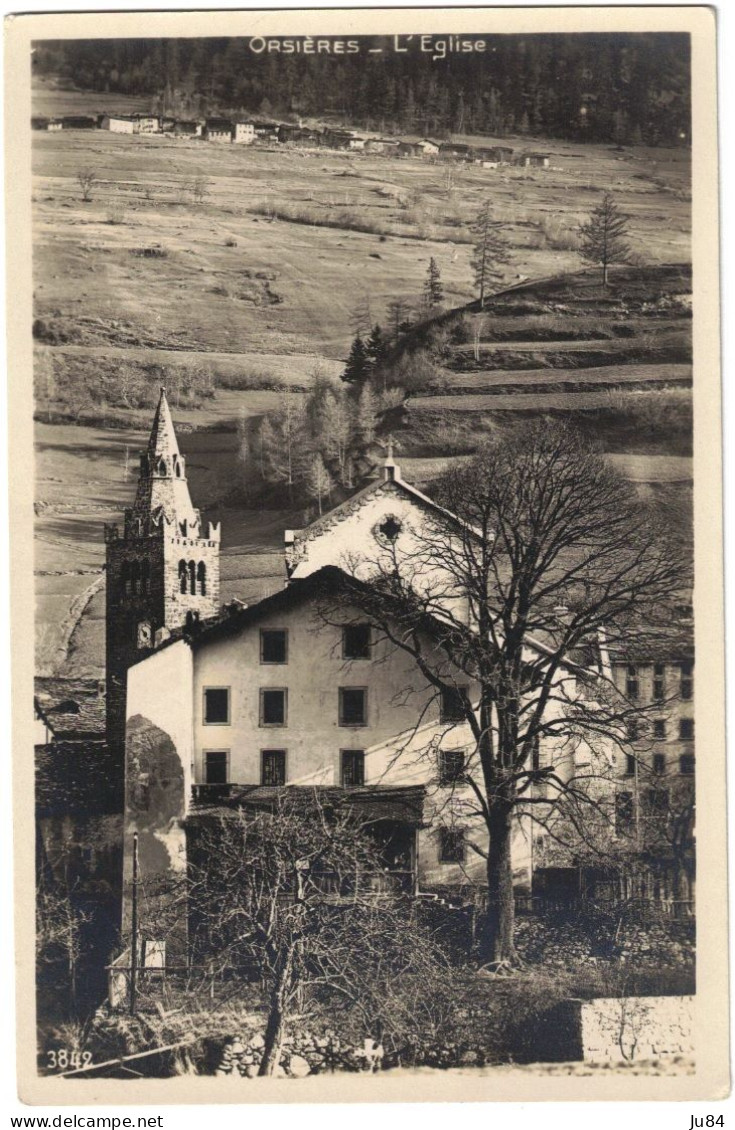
500 612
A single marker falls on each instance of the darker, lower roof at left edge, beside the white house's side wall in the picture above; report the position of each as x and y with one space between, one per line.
79 779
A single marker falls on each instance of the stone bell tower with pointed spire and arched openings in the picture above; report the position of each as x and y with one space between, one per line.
163 571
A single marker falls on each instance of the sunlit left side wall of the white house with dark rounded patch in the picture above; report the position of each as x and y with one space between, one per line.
159 758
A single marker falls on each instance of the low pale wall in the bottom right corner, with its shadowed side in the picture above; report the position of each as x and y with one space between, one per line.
617 1029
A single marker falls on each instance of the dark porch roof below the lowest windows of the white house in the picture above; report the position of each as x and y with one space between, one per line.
370 803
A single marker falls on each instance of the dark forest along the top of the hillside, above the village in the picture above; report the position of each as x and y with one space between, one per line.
626 89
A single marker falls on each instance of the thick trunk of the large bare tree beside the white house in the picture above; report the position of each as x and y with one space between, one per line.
498 944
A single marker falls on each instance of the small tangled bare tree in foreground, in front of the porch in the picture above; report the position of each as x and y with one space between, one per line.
299 894
